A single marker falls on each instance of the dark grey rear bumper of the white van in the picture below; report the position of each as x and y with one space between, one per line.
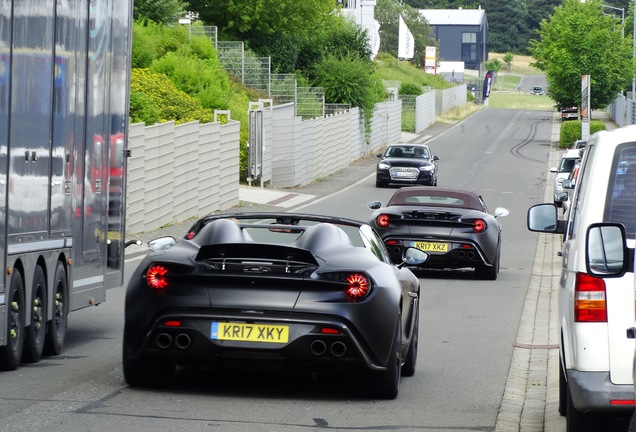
593 391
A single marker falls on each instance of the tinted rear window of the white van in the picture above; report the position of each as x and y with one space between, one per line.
621 199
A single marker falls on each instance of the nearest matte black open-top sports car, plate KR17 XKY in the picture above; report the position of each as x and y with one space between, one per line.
299 291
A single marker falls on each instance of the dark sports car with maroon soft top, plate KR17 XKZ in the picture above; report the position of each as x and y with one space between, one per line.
453 226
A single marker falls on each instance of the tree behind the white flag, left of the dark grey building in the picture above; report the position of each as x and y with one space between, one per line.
387 13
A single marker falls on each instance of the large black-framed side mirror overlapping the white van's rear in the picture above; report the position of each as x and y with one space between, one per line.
606 250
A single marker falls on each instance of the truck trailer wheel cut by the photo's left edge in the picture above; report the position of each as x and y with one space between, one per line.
11 353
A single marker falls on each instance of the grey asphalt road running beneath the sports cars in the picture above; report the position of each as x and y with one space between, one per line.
468 327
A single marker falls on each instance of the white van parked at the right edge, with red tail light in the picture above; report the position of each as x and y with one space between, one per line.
596 307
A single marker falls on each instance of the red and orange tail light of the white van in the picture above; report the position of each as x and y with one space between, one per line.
589 299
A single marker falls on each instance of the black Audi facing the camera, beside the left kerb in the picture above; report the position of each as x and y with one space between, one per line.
406 164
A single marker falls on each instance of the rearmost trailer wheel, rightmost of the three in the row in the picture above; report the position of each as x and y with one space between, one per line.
56 328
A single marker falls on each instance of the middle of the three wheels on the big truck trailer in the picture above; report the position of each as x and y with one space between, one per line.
35 332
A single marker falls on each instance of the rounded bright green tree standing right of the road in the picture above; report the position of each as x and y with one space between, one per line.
579 39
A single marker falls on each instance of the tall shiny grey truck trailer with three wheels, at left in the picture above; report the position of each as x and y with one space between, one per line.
64 80
